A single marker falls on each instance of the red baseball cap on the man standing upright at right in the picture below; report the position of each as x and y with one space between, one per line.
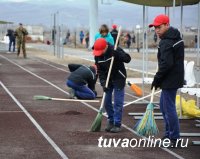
160 19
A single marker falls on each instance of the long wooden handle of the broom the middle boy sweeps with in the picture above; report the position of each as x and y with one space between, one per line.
110 68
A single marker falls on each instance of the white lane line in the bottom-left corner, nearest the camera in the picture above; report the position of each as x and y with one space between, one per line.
53 144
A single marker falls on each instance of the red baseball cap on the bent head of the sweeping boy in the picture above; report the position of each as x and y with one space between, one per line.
99 46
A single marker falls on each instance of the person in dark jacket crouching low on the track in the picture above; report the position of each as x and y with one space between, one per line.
82 81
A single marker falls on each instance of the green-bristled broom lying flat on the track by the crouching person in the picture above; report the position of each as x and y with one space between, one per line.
40 97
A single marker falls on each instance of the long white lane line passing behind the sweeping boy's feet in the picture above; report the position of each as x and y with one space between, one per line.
90 106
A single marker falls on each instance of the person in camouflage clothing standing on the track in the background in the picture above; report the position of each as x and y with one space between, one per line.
21 33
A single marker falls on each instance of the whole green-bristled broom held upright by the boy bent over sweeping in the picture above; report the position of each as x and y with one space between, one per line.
96 125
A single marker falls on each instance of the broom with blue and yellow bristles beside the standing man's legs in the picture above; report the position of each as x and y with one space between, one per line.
147 125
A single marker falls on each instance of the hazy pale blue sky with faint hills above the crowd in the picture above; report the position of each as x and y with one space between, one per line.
75 13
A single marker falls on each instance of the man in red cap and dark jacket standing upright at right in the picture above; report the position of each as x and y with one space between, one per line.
170 74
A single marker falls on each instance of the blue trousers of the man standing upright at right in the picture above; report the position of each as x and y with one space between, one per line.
168 109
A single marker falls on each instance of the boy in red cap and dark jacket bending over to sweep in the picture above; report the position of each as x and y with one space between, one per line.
103 52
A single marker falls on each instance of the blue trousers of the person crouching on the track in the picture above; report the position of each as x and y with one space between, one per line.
81 91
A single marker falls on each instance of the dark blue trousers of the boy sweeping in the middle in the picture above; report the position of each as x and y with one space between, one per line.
114 111
